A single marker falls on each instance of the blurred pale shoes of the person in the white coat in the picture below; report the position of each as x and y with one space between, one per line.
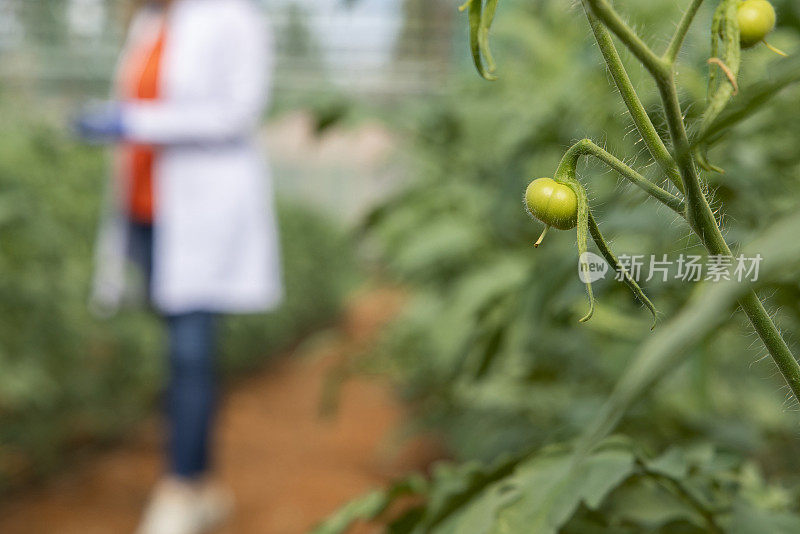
180 507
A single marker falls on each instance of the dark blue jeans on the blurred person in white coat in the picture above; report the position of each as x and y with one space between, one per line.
191 388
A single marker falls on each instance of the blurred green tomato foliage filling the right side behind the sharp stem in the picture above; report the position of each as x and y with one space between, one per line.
490 351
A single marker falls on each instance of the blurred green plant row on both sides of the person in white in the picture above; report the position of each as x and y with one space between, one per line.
68 379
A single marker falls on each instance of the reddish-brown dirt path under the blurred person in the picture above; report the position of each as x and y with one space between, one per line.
287 466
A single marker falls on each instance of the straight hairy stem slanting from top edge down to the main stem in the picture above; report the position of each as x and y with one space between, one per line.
641 119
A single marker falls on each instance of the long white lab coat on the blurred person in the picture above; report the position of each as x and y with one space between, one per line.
215 237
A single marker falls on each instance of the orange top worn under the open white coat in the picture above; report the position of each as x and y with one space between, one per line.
141 74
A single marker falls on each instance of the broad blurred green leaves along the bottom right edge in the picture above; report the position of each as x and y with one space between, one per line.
616 490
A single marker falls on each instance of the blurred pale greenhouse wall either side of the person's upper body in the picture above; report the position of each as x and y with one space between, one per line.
375 48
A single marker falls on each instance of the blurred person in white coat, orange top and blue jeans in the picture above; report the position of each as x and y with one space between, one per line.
191 206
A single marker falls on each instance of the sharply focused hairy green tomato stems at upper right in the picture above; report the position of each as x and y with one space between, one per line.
690 199
